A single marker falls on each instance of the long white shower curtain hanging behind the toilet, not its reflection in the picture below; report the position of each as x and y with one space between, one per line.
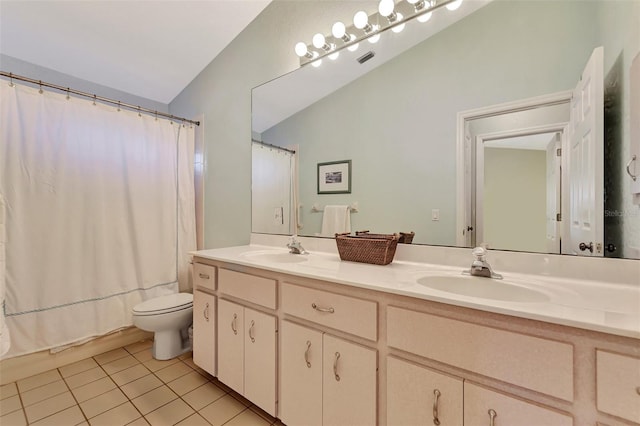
99 209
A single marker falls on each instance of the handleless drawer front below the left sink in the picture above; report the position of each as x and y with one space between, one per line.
258 290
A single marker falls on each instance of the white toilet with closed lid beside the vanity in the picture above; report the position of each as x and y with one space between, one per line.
169 318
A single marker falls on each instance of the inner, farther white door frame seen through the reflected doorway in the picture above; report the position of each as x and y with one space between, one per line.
476 209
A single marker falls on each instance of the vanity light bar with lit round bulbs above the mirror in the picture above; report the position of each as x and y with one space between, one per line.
348 37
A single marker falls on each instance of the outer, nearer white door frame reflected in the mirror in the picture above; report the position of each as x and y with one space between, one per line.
463 151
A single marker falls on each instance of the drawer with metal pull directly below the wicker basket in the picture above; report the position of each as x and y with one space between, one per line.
343 313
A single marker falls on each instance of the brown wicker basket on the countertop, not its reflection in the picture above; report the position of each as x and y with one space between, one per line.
377 249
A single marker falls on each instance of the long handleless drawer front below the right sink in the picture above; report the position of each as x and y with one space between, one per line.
538 364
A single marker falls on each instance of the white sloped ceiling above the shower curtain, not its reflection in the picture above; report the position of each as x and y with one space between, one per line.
148 48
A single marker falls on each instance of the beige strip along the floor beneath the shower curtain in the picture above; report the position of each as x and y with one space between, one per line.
20 367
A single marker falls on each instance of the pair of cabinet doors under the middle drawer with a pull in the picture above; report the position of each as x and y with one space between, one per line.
325 380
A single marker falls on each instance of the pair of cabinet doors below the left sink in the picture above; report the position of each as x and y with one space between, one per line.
247 353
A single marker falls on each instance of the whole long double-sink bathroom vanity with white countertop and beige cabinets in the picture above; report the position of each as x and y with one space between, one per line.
316 341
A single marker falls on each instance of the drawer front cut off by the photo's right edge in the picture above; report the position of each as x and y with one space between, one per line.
618 385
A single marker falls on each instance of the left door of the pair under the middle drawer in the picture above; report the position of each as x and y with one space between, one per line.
300 375
